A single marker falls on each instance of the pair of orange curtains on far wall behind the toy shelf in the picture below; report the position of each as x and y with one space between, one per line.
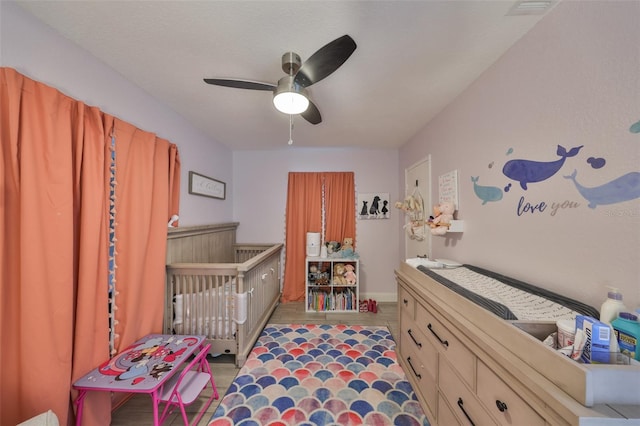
304 214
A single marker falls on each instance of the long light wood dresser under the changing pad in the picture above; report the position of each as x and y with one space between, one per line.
470 367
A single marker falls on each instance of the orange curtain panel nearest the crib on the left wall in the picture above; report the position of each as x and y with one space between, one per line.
147 183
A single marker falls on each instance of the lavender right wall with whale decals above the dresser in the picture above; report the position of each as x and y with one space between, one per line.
573 80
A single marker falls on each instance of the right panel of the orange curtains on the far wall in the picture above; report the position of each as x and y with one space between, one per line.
340 206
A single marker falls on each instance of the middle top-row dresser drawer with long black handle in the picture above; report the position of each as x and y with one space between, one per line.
448 344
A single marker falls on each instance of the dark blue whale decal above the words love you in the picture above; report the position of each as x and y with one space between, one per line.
528 171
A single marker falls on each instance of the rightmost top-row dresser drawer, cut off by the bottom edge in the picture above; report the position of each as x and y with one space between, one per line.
507 407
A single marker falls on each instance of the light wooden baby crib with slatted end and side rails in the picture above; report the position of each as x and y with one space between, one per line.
228 302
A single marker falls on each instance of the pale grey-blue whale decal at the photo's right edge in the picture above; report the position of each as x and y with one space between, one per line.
624 188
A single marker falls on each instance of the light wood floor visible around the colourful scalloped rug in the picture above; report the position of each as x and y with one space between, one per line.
137 410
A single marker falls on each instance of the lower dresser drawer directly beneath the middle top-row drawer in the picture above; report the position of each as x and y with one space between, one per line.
463 402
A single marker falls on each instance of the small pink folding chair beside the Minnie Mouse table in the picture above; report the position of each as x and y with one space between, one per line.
183 389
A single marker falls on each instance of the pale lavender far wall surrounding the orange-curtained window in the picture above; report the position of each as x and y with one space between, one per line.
260 195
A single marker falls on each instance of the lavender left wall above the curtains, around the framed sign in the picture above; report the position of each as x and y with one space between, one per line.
38 52
